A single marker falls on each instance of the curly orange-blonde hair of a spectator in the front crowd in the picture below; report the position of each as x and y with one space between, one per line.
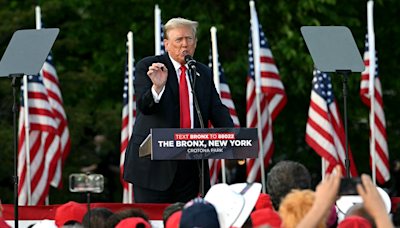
295 206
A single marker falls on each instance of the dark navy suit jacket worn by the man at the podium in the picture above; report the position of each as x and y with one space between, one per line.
158 175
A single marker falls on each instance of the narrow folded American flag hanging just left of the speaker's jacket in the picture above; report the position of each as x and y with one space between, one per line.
125 126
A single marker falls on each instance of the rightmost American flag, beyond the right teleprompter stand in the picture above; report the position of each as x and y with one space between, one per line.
381 148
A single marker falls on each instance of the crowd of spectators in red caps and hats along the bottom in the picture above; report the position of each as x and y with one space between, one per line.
290 203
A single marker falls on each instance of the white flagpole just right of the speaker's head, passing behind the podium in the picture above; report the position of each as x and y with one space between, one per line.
217 83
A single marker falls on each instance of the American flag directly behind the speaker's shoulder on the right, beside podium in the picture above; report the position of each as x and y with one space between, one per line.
226 98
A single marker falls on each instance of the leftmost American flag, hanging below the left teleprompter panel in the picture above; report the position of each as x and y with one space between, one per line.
45 143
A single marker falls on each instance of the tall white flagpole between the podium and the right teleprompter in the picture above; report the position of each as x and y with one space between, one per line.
257 76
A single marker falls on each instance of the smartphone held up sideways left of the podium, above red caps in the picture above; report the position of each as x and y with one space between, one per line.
80 182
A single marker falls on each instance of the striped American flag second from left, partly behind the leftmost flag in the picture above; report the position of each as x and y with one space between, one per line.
50 81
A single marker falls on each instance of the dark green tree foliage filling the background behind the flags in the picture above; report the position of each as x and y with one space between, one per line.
89 57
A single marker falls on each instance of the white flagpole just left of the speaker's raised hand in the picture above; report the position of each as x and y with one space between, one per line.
130 99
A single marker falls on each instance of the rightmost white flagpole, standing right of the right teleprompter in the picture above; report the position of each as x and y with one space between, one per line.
371 47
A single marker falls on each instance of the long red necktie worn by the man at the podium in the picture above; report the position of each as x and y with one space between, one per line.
184 100
